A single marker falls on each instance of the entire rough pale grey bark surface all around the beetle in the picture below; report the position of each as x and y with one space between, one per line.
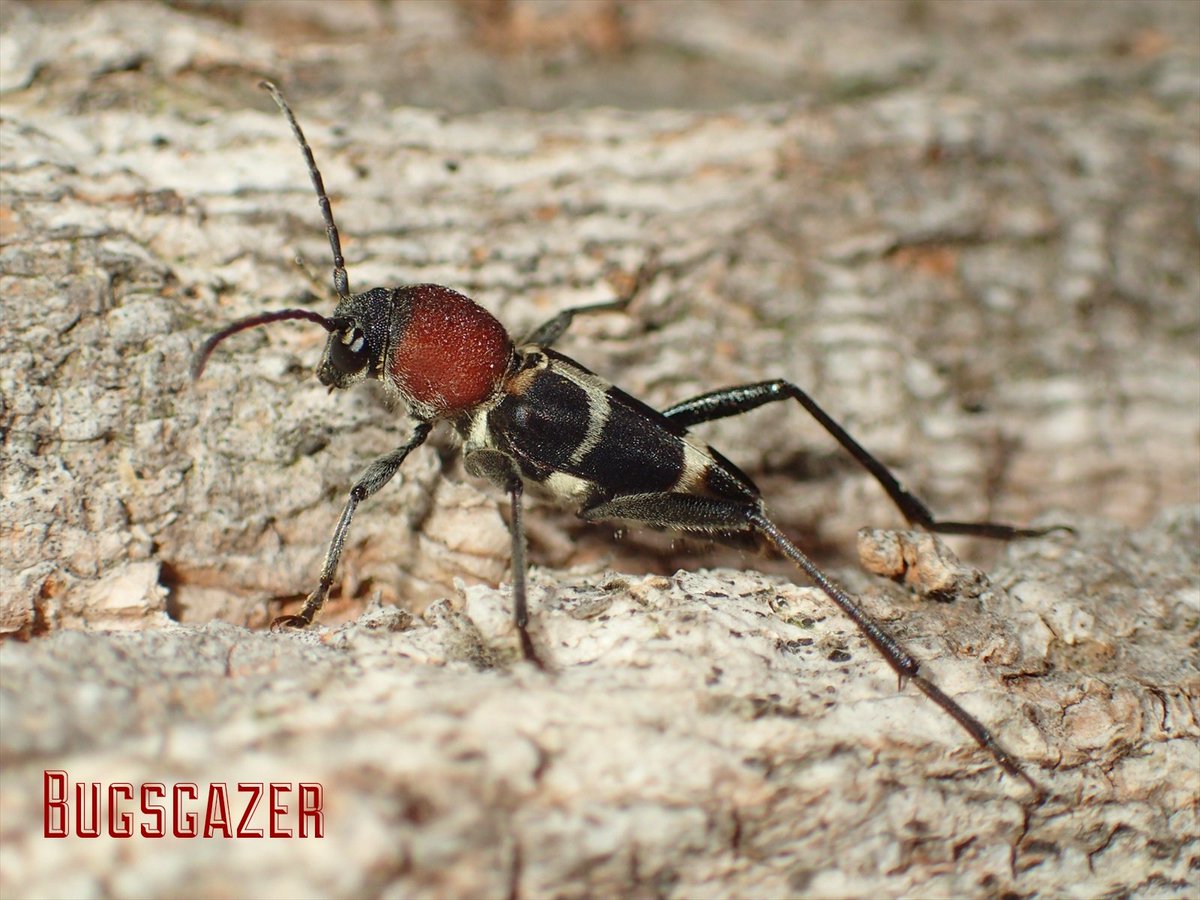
986 265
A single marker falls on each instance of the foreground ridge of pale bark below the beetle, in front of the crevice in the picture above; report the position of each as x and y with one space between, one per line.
710 734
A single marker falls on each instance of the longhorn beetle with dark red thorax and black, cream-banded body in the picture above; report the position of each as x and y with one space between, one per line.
527 415
